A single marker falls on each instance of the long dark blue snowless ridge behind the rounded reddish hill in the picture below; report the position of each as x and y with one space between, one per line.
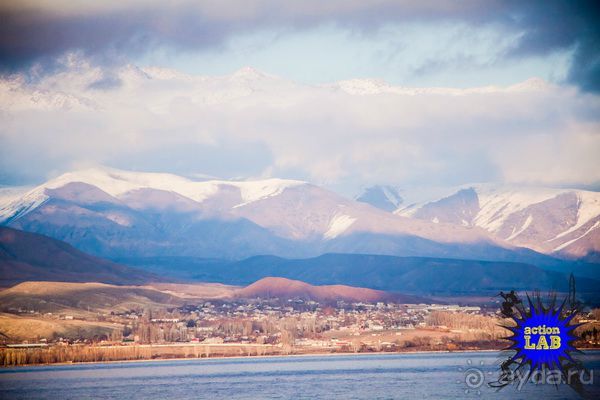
407 275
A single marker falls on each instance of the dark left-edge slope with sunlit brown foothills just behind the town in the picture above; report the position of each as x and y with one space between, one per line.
53 276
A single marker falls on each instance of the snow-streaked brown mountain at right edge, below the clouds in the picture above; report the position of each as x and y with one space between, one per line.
564 222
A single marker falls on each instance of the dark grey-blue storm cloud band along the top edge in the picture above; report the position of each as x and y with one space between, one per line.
113 32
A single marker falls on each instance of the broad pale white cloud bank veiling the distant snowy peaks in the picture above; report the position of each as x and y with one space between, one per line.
251 124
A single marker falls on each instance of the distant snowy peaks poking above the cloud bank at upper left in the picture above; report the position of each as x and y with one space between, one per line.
82 86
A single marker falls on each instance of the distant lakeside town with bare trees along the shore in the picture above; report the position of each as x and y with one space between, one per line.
257 327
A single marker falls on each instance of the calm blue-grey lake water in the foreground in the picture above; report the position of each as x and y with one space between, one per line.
381 376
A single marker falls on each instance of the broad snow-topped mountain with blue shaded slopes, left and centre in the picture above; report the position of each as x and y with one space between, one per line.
118 213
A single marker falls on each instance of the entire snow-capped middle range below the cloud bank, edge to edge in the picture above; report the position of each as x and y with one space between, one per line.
113 213
